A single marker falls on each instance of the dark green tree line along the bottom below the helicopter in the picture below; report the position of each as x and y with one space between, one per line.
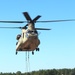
45 72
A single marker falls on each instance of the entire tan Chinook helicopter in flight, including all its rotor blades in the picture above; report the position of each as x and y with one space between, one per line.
28 40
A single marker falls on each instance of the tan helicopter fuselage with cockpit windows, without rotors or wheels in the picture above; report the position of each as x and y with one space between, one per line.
28 40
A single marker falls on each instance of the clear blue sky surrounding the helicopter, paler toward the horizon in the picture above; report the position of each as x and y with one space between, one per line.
57 47
